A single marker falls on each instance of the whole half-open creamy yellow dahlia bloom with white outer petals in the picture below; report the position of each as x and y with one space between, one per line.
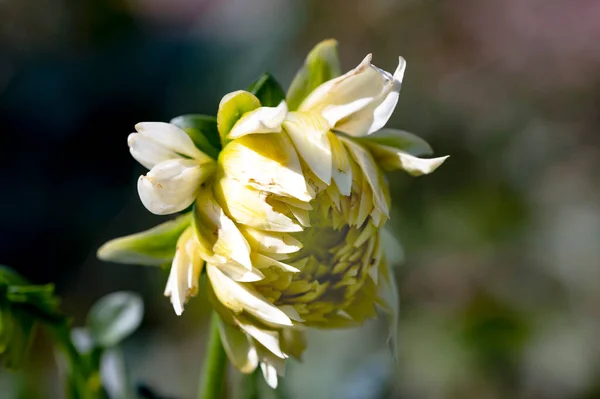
287 220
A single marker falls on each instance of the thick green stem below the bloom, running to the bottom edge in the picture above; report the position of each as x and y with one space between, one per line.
215 365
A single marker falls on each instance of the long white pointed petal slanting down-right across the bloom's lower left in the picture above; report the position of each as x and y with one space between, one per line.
238 297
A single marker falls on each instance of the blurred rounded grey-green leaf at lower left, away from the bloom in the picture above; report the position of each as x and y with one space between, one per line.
114 317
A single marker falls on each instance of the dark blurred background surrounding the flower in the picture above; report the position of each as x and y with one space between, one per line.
500 290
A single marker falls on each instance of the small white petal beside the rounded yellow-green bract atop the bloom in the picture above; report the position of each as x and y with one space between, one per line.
261 120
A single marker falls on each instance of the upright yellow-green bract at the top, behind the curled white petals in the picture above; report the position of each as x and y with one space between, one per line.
321 64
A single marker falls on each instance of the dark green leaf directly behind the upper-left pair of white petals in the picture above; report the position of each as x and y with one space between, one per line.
203 131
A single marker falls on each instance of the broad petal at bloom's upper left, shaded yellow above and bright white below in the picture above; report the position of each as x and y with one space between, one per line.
266 162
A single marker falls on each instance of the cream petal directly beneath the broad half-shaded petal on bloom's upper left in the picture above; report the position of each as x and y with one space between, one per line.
248 206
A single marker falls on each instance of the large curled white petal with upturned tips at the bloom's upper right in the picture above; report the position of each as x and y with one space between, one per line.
359 102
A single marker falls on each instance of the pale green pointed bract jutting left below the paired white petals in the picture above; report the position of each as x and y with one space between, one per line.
152 247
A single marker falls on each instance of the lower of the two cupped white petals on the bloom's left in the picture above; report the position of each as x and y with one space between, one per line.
172 186
